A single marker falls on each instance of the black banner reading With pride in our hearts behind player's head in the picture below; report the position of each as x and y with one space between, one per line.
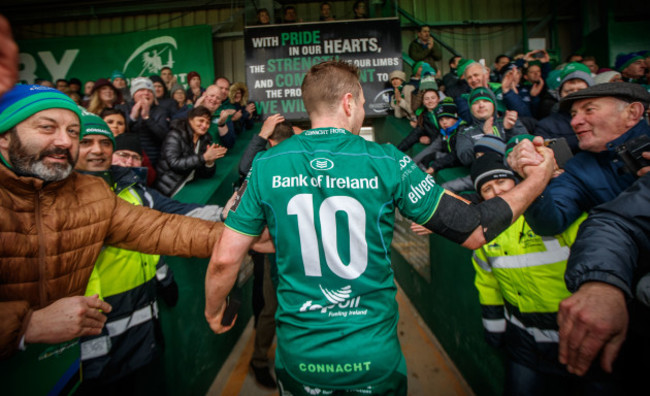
278 56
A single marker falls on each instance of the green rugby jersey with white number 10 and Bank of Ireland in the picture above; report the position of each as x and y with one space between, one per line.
328 198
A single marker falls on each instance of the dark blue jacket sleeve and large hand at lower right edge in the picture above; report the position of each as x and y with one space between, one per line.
609 272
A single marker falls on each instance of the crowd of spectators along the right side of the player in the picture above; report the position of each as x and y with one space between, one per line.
592 117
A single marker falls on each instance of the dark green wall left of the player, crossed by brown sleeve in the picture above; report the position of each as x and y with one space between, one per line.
193 353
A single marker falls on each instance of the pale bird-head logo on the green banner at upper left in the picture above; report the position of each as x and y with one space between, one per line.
150 57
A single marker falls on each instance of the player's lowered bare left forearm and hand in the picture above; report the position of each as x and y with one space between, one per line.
221 275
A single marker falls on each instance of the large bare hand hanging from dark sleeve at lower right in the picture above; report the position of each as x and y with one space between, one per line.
595 318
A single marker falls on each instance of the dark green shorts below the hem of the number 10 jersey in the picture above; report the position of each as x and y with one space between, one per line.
395 384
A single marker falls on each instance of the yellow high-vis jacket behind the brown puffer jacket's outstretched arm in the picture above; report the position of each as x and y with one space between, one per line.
125 279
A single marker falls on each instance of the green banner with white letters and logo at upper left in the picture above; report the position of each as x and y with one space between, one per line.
134 54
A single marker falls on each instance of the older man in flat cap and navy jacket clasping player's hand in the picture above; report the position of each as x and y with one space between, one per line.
603 117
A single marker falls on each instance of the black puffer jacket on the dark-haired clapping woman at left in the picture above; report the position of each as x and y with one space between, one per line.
178 158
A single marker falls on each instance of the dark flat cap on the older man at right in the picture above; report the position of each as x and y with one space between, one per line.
628 92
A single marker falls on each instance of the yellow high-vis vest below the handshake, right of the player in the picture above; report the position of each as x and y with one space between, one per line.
524 272
